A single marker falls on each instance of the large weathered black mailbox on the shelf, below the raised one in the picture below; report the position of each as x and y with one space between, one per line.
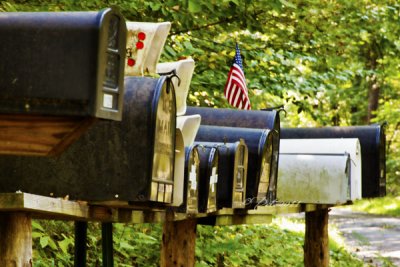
131 160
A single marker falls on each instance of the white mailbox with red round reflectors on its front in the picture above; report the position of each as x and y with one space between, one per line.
144 44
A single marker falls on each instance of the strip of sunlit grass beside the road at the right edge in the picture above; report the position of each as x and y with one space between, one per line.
388 205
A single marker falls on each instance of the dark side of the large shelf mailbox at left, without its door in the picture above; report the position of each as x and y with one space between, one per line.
111 161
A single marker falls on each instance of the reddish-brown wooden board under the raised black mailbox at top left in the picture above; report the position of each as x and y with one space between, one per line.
39 135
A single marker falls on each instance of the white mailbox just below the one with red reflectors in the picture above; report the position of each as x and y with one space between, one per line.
184 70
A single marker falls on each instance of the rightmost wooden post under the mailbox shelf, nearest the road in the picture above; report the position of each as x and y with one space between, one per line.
316 244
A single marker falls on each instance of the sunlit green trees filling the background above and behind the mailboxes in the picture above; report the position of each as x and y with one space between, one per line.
326 62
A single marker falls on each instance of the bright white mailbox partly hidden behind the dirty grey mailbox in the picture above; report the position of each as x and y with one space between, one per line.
331 146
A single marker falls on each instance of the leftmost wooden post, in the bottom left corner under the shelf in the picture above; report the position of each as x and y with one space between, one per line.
15 239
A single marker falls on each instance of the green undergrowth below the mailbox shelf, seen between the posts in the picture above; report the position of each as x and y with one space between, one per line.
139 245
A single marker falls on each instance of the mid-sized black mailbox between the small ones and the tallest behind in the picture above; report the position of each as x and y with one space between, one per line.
262 166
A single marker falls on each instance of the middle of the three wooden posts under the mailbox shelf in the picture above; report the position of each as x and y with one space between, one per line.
178 243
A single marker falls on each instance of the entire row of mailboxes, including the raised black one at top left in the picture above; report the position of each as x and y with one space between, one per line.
140 151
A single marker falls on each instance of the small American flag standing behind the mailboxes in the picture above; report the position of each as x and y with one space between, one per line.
235 88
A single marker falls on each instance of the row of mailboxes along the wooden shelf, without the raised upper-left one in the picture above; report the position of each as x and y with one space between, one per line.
233 162
